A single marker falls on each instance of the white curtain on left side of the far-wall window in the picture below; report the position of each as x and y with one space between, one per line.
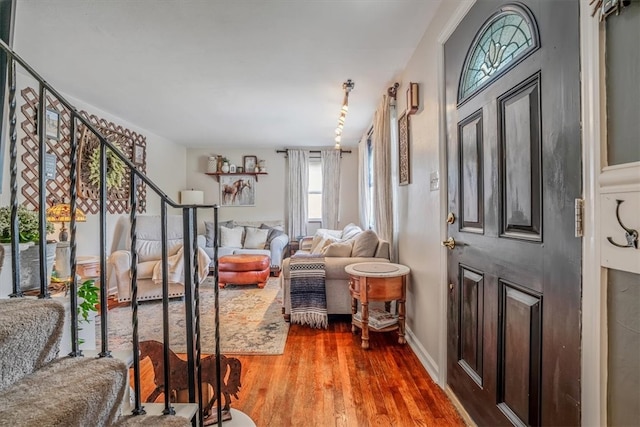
298 177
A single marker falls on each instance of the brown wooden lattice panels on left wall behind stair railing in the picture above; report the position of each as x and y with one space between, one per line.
58 188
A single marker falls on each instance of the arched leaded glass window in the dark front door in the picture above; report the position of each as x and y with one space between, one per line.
505 39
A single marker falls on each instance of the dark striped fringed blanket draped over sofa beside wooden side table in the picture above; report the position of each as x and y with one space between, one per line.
308 295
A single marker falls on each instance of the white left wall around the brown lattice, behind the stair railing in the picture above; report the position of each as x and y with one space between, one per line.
165 166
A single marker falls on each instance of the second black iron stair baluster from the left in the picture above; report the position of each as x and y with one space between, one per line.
42 192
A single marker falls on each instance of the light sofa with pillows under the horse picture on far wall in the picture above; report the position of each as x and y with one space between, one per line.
248 237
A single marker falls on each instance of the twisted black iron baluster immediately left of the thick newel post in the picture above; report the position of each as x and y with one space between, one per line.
168 409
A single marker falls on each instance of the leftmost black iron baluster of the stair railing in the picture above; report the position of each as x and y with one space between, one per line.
13 166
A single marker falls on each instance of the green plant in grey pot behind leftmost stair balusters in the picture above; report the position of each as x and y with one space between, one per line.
29 235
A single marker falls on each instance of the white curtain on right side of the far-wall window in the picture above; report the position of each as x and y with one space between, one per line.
330 160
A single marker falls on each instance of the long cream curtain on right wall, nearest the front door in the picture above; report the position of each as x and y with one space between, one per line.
382 200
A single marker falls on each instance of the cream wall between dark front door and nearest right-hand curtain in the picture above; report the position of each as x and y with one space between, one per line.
419 216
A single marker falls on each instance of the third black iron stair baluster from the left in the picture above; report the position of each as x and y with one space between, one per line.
75 345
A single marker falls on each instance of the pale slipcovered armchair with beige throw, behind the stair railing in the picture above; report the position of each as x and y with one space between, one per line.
149 250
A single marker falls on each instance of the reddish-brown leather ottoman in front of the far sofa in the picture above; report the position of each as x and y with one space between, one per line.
243 270
